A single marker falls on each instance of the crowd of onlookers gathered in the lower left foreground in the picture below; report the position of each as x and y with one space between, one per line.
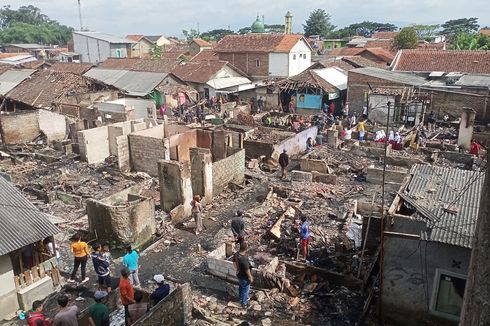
130 294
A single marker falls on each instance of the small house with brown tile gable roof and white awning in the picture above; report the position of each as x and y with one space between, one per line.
212 78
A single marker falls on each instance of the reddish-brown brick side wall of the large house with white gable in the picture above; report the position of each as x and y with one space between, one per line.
247 62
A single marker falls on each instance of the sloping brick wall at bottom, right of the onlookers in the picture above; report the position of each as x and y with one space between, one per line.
175 309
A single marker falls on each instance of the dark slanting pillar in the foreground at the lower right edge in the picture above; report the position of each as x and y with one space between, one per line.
476 308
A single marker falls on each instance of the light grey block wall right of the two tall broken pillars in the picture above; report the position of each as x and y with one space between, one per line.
228 169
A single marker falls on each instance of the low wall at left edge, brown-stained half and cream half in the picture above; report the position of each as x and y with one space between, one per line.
24 127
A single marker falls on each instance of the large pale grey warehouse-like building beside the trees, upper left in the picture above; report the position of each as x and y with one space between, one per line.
95 47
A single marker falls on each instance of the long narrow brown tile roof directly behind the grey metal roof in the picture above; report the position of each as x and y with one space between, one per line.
137 64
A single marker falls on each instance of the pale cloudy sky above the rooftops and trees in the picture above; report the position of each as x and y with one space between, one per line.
121 17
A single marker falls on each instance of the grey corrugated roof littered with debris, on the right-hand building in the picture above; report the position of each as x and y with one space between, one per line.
434 188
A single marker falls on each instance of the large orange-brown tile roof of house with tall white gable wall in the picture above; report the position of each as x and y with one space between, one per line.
258 43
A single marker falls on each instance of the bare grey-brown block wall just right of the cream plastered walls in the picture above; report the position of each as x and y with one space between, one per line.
145 153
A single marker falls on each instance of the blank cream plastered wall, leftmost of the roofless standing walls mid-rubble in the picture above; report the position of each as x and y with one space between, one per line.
94 144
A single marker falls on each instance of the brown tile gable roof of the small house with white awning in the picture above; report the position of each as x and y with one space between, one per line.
200 72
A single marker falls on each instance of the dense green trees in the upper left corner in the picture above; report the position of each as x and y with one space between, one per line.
29 25
